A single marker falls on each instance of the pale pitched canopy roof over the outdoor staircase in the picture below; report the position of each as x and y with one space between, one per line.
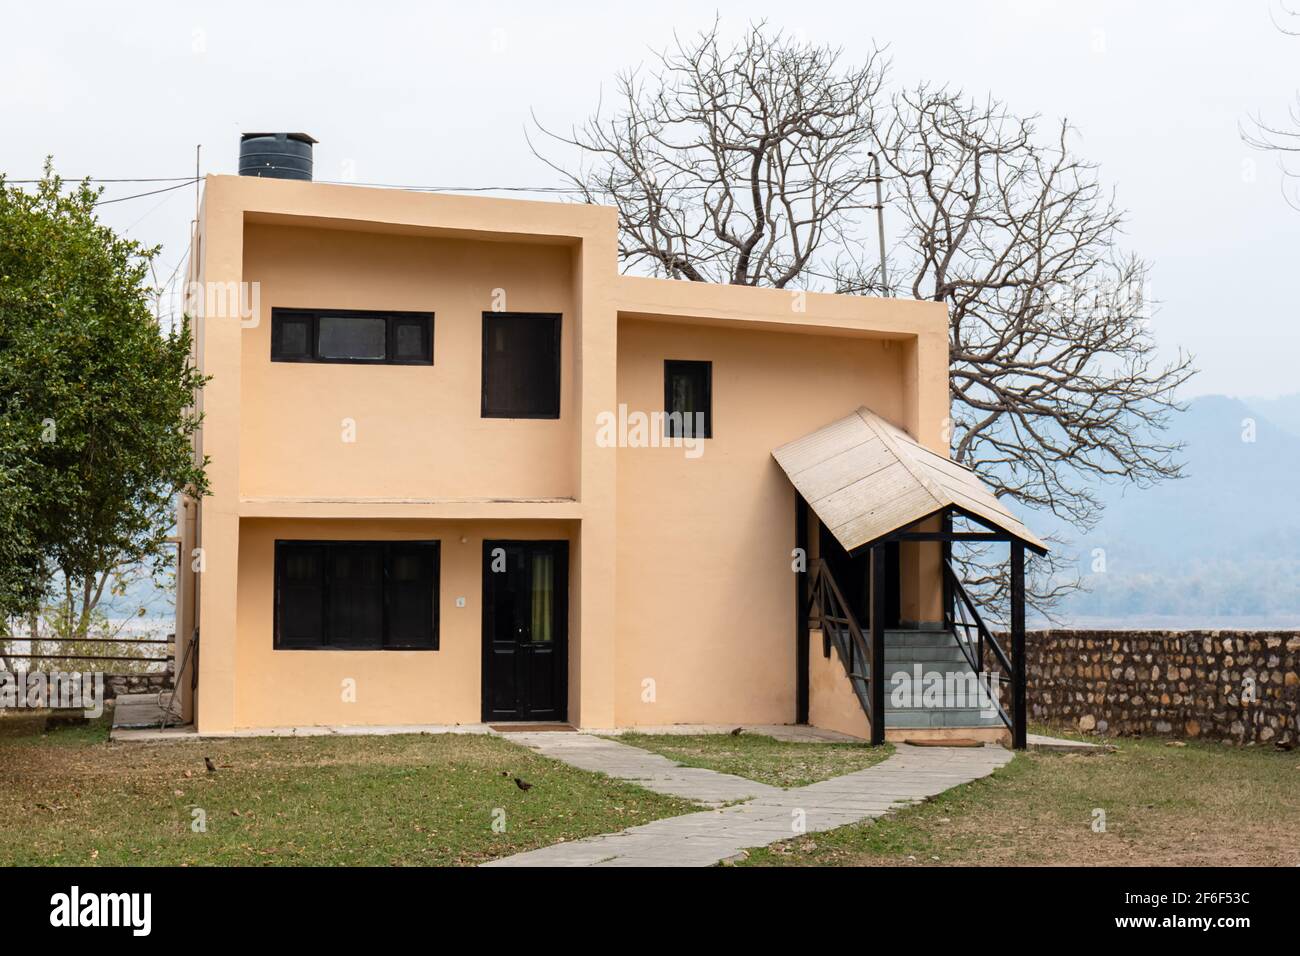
866 479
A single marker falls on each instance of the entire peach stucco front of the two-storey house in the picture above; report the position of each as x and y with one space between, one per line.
681 569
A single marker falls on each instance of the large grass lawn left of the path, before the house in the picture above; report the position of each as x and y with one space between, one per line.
70 797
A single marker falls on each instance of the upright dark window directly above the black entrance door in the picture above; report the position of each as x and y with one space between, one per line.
522 366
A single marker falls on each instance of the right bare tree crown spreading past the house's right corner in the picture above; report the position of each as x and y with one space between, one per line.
1055 377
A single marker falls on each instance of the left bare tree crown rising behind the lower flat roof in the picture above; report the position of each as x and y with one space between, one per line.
733 165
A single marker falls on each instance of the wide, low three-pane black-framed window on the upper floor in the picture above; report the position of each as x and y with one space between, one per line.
352 336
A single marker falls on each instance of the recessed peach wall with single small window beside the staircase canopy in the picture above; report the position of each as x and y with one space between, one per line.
707 590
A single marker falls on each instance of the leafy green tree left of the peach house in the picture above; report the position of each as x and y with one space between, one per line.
97 406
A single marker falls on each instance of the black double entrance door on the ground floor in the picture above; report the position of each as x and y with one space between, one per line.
526 618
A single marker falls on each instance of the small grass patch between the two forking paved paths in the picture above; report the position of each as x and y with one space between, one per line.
759 758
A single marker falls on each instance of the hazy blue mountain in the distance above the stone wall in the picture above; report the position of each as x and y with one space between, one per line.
1217 548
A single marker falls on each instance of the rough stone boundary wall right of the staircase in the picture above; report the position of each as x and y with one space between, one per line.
1241 687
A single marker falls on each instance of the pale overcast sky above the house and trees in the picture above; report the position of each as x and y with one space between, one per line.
440 94
